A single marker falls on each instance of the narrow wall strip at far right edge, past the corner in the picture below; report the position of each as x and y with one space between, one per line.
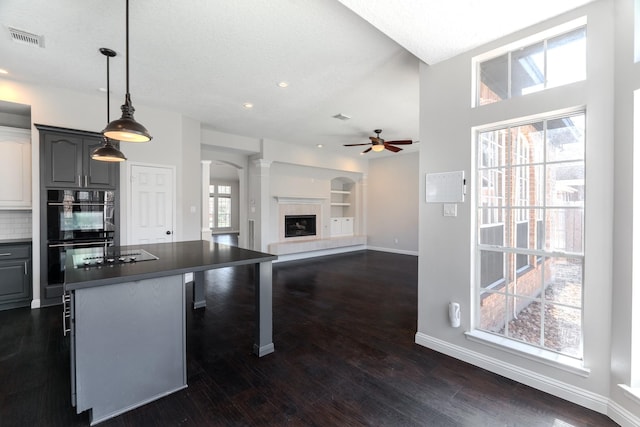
626 198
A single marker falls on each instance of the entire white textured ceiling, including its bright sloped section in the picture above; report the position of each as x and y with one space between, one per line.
205 58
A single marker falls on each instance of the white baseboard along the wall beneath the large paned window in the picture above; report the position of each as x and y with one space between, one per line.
533 379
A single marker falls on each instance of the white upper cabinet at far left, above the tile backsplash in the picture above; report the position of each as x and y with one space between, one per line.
15 168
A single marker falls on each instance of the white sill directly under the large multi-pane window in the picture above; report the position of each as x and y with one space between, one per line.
540 355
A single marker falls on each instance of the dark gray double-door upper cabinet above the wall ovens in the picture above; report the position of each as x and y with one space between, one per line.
67 163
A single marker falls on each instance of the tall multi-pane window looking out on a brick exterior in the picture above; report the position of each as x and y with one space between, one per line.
530 232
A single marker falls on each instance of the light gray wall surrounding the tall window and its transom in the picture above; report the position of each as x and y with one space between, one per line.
446 244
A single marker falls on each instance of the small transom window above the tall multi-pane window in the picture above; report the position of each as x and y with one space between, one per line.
551 62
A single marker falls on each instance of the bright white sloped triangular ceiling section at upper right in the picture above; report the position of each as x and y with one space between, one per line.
435 30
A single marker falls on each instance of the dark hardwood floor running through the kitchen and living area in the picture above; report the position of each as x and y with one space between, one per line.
345 356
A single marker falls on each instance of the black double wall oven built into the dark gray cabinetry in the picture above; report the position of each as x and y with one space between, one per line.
77 219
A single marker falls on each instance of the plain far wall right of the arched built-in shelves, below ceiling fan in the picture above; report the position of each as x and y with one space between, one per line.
392 208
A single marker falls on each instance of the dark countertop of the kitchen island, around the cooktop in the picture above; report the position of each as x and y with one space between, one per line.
173 258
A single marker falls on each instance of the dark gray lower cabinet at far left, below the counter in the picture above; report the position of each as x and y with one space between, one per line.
15 271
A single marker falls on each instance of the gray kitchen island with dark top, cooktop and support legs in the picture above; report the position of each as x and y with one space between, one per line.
127 314
